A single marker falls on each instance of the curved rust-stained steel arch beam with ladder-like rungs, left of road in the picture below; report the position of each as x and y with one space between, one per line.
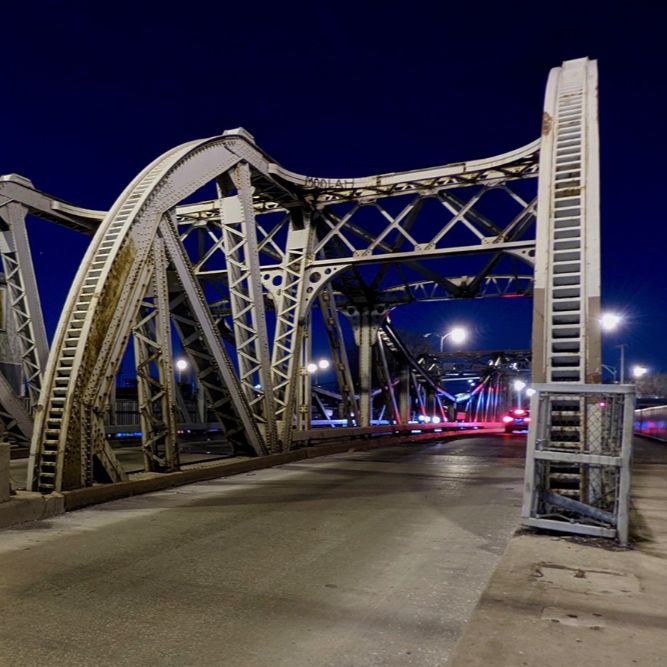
102 304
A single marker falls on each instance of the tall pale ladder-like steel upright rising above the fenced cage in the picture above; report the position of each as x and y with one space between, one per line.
566 335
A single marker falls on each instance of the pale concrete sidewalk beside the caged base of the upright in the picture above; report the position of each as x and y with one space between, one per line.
567 601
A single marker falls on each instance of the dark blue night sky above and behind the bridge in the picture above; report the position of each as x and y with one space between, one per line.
92 92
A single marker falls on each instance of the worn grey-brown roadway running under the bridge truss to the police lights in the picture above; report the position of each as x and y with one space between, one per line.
366 558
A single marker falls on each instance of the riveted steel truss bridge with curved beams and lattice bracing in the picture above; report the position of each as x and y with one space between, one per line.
217 244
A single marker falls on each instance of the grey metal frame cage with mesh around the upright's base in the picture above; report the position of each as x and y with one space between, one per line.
577 476
